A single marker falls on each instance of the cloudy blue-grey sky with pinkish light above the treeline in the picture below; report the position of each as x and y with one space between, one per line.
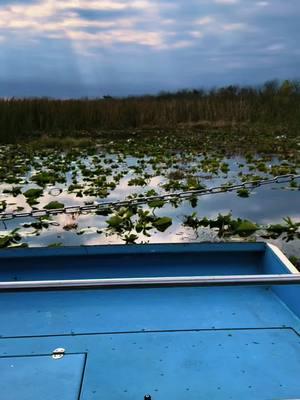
78 48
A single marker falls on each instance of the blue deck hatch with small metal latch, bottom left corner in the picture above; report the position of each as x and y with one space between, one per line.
41 377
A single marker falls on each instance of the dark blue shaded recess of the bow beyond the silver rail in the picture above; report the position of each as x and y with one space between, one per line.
129 261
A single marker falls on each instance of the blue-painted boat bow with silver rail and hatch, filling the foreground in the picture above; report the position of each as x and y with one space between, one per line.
164 341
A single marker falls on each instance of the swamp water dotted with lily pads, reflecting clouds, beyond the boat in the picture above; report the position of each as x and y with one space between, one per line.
88 176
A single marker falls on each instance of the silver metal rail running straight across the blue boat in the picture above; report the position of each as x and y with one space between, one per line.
152 282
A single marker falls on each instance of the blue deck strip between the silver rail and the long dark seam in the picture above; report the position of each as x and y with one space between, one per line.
61 313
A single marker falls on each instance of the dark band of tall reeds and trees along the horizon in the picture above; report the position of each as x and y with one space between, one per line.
274 104
